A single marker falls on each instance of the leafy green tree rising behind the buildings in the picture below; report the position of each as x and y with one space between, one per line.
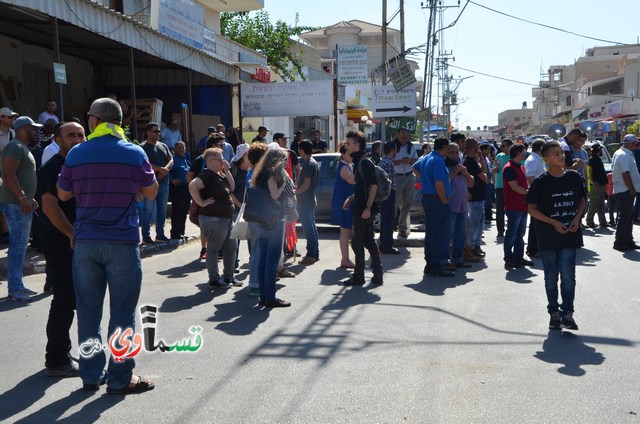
272 40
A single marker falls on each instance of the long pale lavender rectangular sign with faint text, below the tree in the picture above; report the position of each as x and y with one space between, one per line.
287 99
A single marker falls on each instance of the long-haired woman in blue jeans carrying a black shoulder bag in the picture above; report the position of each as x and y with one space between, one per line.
269 175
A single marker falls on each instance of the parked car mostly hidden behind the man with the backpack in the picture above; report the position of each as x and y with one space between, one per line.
327 166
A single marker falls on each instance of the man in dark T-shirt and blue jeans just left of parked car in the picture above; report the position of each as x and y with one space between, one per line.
306 195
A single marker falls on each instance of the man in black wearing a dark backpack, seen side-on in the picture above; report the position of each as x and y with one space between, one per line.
364 209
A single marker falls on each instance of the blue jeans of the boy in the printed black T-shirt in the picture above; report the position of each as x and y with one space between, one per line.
563 262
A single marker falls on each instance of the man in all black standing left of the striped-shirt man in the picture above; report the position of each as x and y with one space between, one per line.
57 242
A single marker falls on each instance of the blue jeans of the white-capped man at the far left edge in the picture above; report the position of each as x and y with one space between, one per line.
19 226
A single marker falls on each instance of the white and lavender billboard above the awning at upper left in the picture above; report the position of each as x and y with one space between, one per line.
179 19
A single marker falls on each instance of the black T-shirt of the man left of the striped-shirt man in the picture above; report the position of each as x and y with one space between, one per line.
47 179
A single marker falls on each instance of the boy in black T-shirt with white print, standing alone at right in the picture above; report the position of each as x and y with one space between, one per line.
556 201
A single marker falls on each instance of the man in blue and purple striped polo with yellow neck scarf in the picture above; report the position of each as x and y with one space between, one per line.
105 174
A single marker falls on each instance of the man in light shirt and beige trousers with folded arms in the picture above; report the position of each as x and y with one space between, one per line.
406 156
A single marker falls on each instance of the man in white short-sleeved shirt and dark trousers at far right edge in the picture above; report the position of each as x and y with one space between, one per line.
626 183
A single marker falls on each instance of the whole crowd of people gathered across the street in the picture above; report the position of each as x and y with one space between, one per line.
95 197
